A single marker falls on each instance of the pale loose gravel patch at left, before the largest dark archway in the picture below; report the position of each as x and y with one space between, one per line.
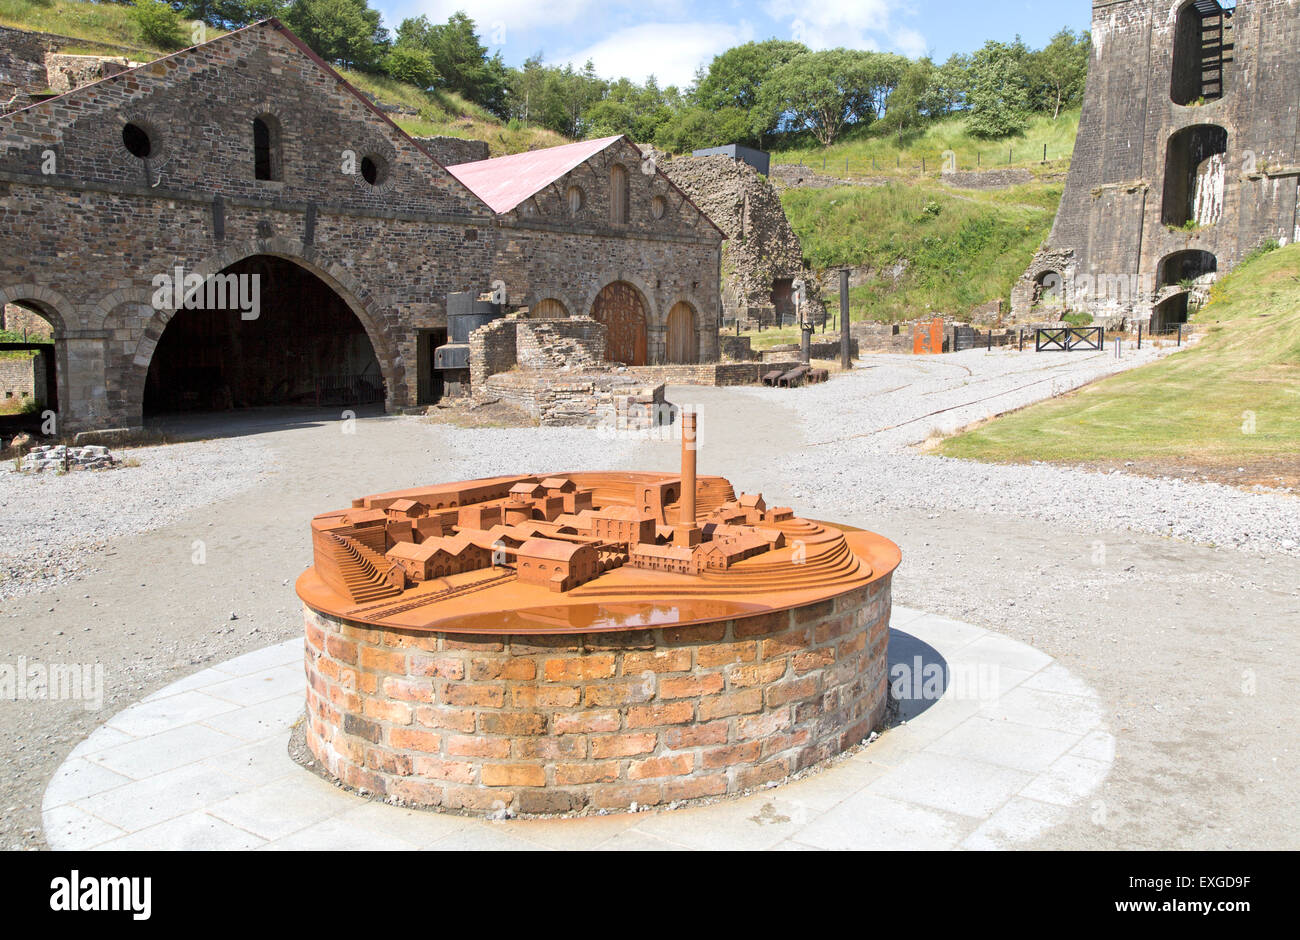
53 526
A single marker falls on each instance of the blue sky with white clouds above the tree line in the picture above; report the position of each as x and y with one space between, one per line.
671 38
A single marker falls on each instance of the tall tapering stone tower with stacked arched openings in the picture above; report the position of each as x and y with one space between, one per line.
1186 158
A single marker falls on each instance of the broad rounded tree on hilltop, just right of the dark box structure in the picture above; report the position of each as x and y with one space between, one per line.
822 93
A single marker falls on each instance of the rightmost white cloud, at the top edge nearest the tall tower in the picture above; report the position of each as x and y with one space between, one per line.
852 24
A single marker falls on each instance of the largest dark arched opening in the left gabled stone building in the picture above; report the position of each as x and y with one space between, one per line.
265 332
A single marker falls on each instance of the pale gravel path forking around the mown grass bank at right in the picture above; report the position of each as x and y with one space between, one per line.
861 431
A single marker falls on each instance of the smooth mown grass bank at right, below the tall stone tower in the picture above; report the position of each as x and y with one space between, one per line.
1194 405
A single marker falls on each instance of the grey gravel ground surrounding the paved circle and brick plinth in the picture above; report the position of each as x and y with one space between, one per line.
1193 649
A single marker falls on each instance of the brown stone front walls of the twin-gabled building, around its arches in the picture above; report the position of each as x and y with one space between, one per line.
392 250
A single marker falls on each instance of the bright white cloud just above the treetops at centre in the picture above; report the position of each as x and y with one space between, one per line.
671 53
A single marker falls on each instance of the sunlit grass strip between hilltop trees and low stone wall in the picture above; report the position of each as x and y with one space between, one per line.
895 158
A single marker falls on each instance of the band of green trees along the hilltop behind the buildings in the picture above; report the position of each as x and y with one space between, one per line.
774 94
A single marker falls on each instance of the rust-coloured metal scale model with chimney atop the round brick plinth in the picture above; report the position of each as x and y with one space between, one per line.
570 553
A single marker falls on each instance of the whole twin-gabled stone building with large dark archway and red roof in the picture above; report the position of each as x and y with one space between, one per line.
237 226
